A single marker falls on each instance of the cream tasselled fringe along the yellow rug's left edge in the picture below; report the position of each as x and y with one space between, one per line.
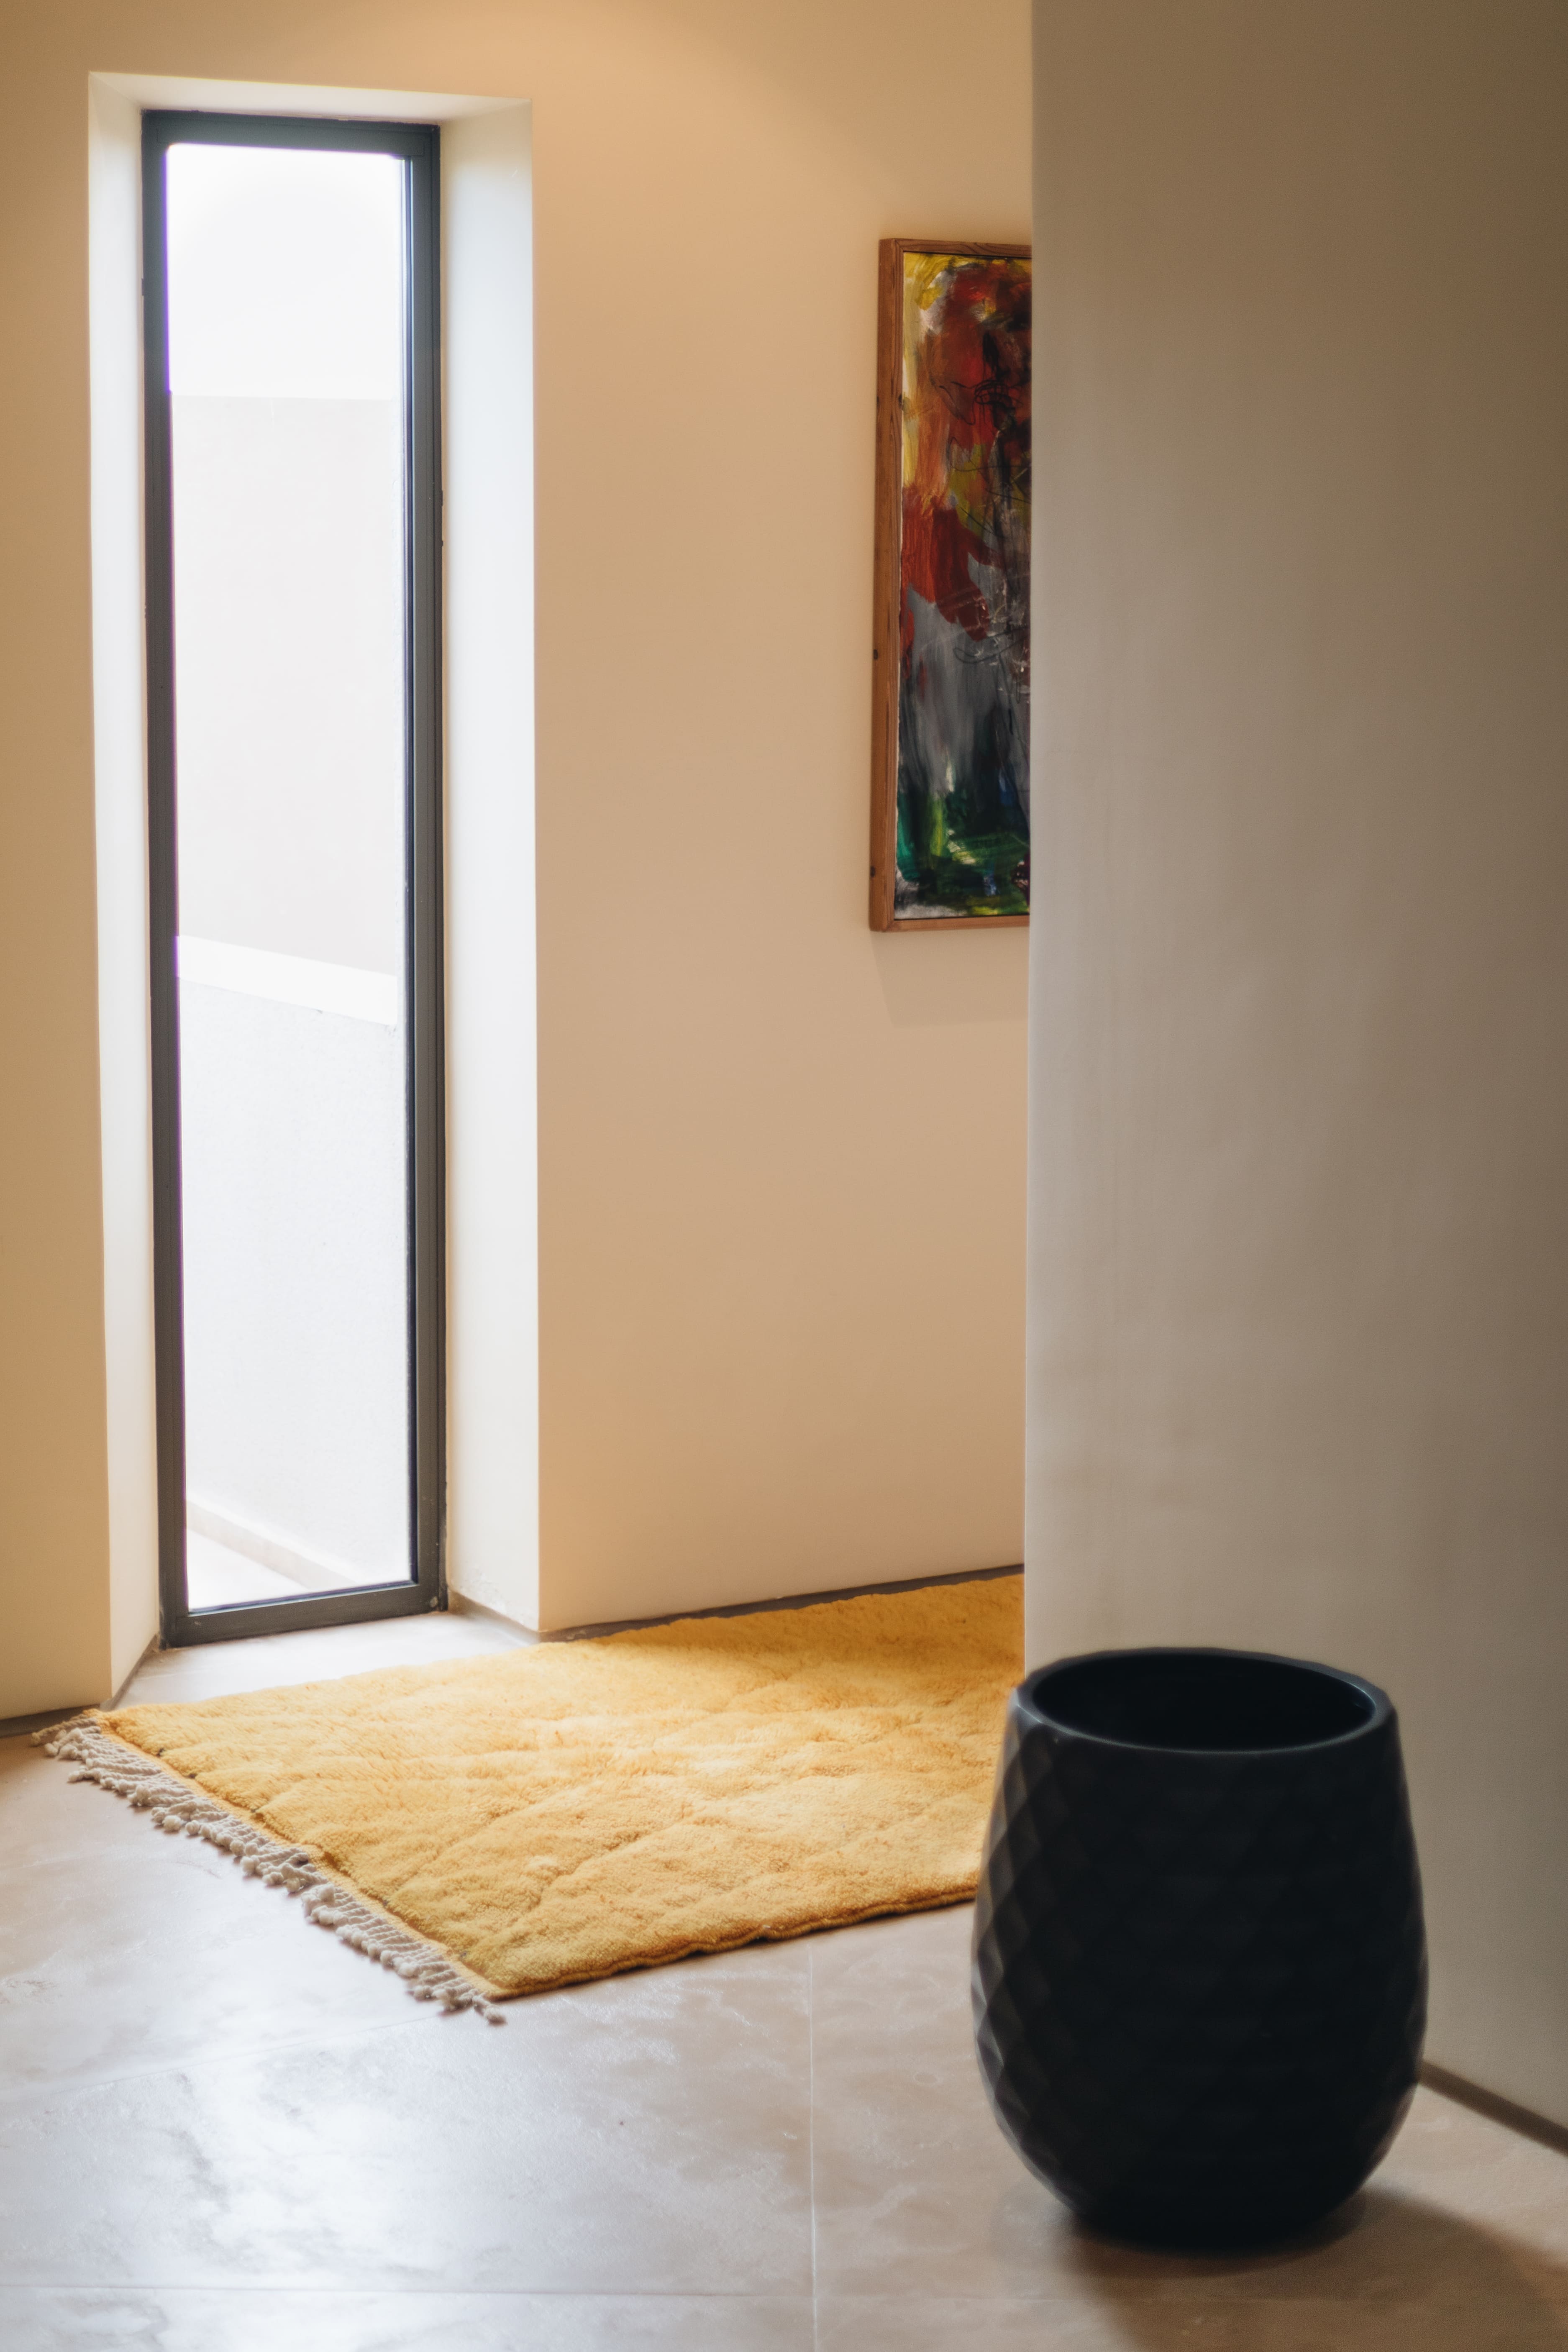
175 1808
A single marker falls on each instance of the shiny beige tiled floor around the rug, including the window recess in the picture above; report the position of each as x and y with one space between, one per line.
222 2132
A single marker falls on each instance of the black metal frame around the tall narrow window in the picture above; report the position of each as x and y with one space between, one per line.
417 145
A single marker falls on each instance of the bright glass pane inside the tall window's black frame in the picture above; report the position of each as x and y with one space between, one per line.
288 453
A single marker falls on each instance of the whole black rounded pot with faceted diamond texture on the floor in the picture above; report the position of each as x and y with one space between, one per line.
1200 1972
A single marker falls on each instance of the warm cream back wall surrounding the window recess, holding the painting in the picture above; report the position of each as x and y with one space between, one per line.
782 1161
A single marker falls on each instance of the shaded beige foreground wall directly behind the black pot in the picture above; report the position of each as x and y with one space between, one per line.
1299 1321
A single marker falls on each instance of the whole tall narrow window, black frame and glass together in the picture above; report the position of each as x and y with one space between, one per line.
295 829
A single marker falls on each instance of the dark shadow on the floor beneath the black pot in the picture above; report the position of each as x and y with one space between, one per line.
1383 2276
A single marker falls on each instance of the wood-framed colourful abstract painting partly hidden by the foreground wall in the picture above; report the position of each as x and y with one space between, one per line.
951 653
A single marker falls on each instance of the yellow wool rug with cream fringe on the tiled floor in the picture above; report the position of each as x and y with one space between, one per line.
521 1822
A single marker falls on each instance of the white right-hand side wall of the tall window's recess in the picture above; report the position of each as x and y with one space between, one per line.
492 982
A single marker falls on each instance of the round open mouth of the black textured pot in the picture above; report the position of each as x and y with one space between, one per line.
1202 1699
